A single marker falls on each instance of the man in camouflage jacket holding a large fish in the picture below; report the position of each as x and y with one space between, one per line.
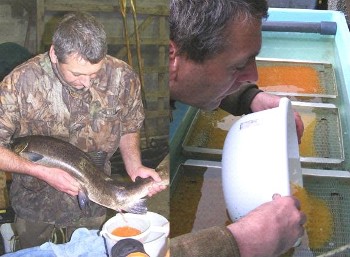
75 92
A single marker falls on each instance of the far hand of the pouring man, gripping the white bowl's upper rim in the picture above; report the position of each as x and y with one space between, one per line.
264 101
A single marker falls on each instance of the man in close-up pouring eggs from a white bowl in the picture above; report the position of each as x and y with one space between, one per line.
213 45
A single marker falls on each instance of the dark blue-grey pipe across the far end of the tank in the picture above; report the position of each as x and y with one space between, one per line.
323 27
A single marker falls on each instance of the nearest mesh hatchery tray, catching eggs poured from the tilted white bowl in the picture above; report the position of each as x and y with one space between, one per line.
198 203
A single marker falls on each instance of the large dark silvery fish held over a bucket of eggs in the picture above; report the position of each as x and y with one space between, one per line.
94 184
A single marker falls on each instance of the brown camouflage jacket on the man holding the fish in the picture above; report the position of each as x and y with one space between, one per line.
34 100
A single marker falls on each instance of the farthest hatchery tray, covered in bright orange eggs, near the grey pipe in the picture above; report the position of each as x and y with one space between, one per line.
297 78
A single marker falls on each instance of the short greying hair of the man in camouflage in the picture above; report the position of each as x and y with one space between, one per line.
80 33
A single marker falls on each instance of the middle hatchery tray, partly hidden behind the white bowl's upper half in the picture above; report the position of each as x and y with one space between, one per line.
322 141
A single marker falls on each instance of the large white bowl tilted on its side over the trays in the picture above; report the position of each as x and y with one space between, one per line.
260 157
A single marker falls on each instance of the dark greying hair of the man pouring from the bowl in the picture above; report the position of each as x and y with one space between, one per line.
198 27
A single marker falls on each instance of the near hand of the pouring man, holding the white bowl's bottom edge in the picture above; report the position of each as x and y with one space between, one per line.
271 229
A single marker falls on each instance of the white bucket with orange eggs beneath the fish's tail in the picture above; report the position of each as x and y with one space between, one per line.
154 238
